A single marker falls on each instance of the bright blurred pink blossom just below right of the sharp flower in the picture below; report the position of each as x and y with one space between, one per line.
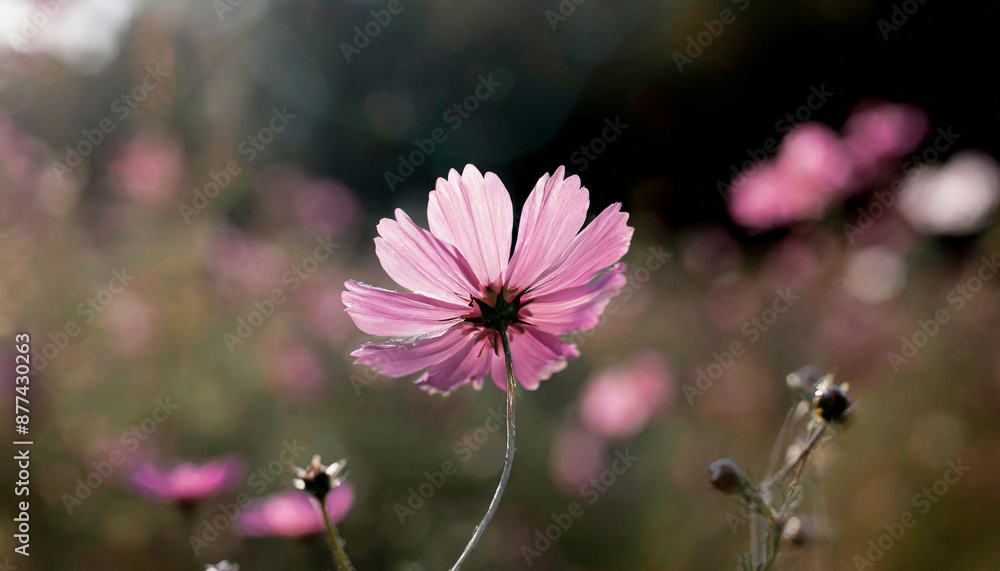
619 402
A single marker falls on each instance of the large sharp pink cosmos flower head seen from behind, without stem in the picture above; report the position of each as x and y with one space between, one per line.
466 286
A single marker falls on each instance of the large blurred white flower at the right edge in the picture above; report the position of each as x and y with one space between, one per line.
958 198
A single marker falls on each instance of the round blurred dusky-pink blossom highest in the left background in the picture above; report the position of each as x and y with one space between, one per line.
149 168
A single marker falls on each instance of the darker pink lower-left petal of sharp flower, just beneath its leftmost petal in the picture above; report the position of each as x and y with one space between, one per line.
397 359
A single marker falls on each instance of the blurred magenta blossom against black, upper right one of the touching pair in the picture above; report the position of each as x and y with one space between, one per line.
880 131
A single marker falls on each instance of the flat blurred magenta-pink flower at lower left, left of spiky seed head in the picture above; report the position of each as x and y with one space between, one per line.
188 483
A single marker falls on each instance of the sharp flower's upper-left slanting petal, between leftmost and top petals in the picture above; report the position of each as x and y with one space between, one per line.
418 261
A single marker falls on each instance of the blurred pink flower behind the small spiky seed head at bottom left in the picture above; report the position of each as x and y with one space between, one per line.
293 513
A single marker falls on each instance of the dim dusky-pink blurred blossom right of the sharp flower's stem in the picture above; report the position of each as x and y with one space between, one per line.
577 456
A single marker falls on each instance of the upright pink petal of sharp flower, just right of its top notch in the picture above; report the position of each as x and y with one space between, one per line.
552 216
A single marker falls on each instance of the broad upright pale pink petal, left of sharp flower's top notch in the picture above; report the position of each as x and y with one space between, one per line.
475 215
